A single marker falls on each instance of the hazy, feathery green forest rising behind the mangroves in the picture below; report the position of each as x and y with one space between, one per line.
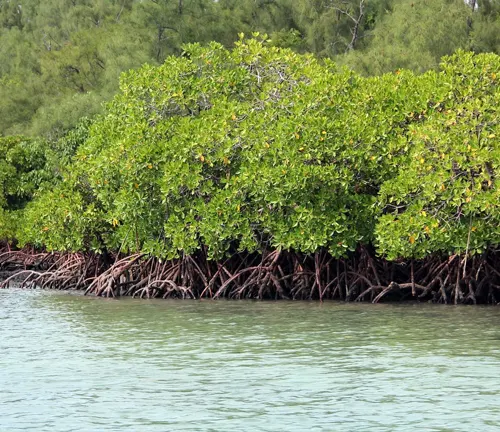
61 59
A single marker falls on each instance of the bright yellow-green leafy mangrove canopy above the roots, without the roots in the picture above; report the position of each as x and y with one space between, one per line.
259 147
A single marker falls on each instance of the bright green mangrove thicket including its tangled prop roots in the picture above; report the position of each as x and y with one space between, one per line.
258 171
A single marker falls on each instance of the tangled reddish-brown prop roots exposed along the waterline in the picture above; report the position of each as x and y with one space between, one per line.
273 274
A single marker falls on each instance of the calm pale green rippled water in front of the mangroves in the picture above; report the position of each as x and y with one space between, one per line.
73 363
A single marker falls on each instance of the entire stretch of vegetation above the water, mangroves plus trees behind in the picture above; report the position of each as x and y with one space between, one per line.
350 152
